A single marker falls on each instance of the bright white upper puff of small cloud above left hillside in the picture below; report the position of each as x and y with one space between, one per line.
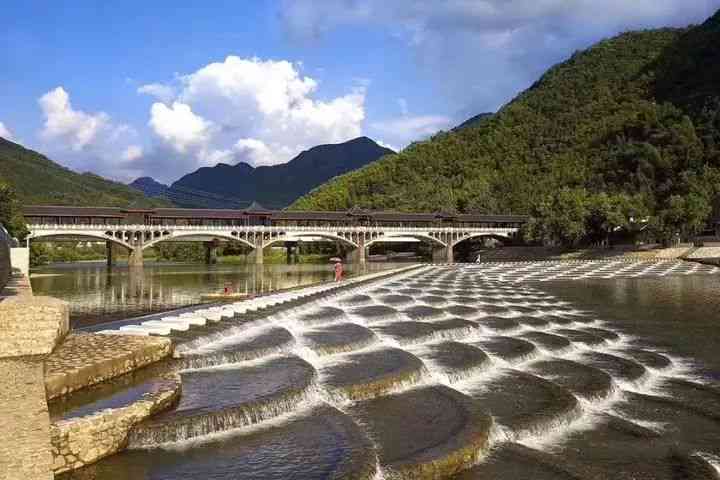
65 124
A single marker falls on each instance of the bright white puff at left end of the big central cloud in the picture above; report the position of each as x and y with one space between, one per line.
179 127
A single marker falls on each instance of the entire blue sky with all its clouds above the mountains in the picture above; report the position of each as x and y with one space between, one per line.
133 88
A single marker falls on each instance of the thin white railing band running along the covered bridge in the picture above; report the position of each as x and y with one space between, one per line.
266 229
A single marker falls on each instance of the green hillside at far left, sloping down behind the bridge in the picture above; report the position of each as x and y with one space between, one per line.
37 179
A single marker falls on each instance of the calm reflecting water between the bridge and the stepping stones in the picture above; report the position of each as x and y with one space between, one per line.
97 293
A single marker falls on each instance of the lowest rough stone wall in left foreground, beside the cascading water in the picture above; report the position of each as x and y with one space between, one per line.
81 441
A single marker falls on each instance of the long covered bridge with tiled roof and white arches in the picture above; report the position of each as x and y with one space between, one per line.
257 228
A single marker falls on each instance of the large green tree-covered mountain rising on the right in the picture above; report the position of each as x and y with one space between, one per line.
625 132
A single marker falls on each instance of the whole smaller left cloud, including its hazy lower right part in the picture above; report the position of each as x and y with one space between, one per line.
87 141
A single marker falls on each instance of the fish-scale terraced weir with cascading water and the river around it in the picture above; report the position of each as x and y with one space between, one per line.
458 372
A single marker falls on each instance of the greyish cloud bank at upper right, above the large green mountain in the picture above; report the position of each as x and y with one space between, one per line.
482 52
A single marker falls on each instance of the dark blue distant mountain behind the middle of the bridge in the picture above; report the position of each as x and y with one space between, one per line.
279 185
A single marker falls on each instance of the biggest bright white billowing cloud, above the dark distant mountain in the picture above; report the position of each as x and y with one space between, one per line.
258 111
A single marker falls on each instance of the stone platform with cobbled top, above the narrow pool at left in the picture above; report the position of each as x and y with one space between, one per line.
85 359
